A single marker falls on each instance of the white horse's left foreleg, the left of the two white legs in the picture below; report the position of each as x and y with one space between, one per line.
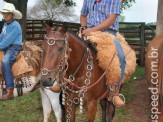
46 105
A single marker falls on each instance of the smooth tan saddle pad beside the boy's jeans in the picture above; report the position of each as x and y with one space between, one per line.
20 66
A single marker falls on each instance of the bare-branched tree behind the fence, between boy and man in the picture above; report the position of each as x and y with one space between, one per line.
50 9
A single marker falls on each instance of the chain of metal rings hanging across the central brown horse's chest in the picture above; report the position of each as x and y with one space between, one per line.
81 92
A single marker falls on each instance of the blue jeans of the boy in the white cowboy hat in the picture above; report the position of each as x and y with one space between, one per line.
9 58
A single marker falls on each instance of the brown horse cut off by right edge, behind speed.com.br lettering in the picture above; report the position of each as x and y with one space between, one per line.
154 76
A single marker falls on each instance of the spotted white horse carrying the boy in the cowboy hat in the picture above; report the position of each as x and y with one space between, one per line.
29 81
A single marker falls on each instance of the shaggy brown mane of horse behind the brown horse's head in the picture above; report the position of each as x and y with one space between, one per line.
33 53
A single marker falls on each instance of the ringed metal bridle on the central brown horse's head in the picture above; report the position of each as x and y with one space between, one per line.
61 68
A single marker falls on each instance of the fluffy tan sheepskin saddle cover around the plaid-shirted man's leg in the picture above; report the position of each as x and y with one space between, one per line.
104 42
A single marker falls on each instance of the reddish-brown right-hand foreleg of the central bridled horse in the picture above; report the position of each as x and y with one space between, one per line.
91 110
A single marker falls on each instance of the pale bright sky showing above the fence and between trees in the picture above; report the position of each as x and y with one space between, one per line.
141 11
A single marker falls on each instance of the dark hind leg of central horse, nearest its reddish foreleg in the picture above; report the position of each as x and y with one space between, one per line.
103 104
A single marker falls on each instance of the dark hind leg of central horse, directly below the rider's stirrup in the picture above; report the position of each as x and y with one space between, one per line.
110 111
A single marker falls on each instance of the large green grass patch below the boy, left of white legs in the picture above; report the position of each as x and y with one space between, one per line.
22 109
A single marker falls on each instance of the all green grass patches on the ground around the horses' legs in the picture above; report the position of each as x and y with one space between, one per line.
29 109
